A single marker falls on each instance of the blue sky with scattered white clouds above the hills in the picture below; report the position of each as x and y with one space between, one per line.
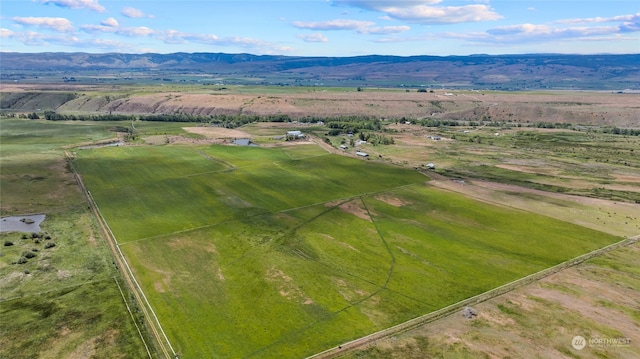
322 27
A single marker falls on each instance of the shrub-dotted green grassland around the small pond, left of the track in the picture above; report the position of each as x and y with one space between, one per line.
65 301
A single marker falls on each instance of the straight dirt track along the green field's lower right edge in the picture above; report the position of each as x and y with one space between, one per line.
345 348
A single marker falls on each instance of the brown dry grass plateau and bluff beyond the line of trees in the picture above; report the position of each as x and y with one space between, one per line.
598 108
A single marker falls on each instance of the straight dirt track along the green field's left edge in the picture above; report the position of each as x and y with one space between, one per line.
130 280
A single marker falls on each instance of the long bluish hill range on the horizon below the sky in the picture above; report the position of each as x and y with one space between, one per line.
508 72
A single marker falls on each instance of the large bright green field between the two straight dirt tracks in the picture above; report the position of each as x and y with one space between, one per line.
284 252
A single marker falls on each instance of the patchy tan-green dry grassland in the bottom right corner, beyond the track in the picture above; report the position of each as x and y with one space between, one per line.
596 299
